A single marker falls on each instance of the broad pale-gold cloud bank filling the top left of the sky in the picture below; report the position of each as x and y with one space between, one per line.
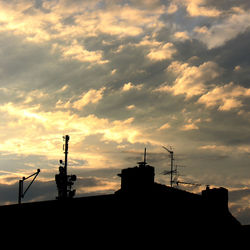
48 24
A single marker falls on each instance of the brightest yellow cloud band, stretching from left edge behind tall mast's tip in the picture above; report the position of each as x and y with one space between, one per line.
30 130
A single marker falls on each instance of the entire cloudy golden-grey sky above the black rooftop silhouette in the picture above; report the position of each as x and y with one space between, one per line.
118 76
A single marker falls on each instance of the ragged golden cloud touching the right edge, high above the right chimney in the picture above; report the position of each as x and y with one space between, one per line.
225 97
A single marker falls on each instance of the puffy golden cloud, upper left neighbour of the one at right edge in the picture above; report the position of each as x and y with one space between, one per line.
190 80
